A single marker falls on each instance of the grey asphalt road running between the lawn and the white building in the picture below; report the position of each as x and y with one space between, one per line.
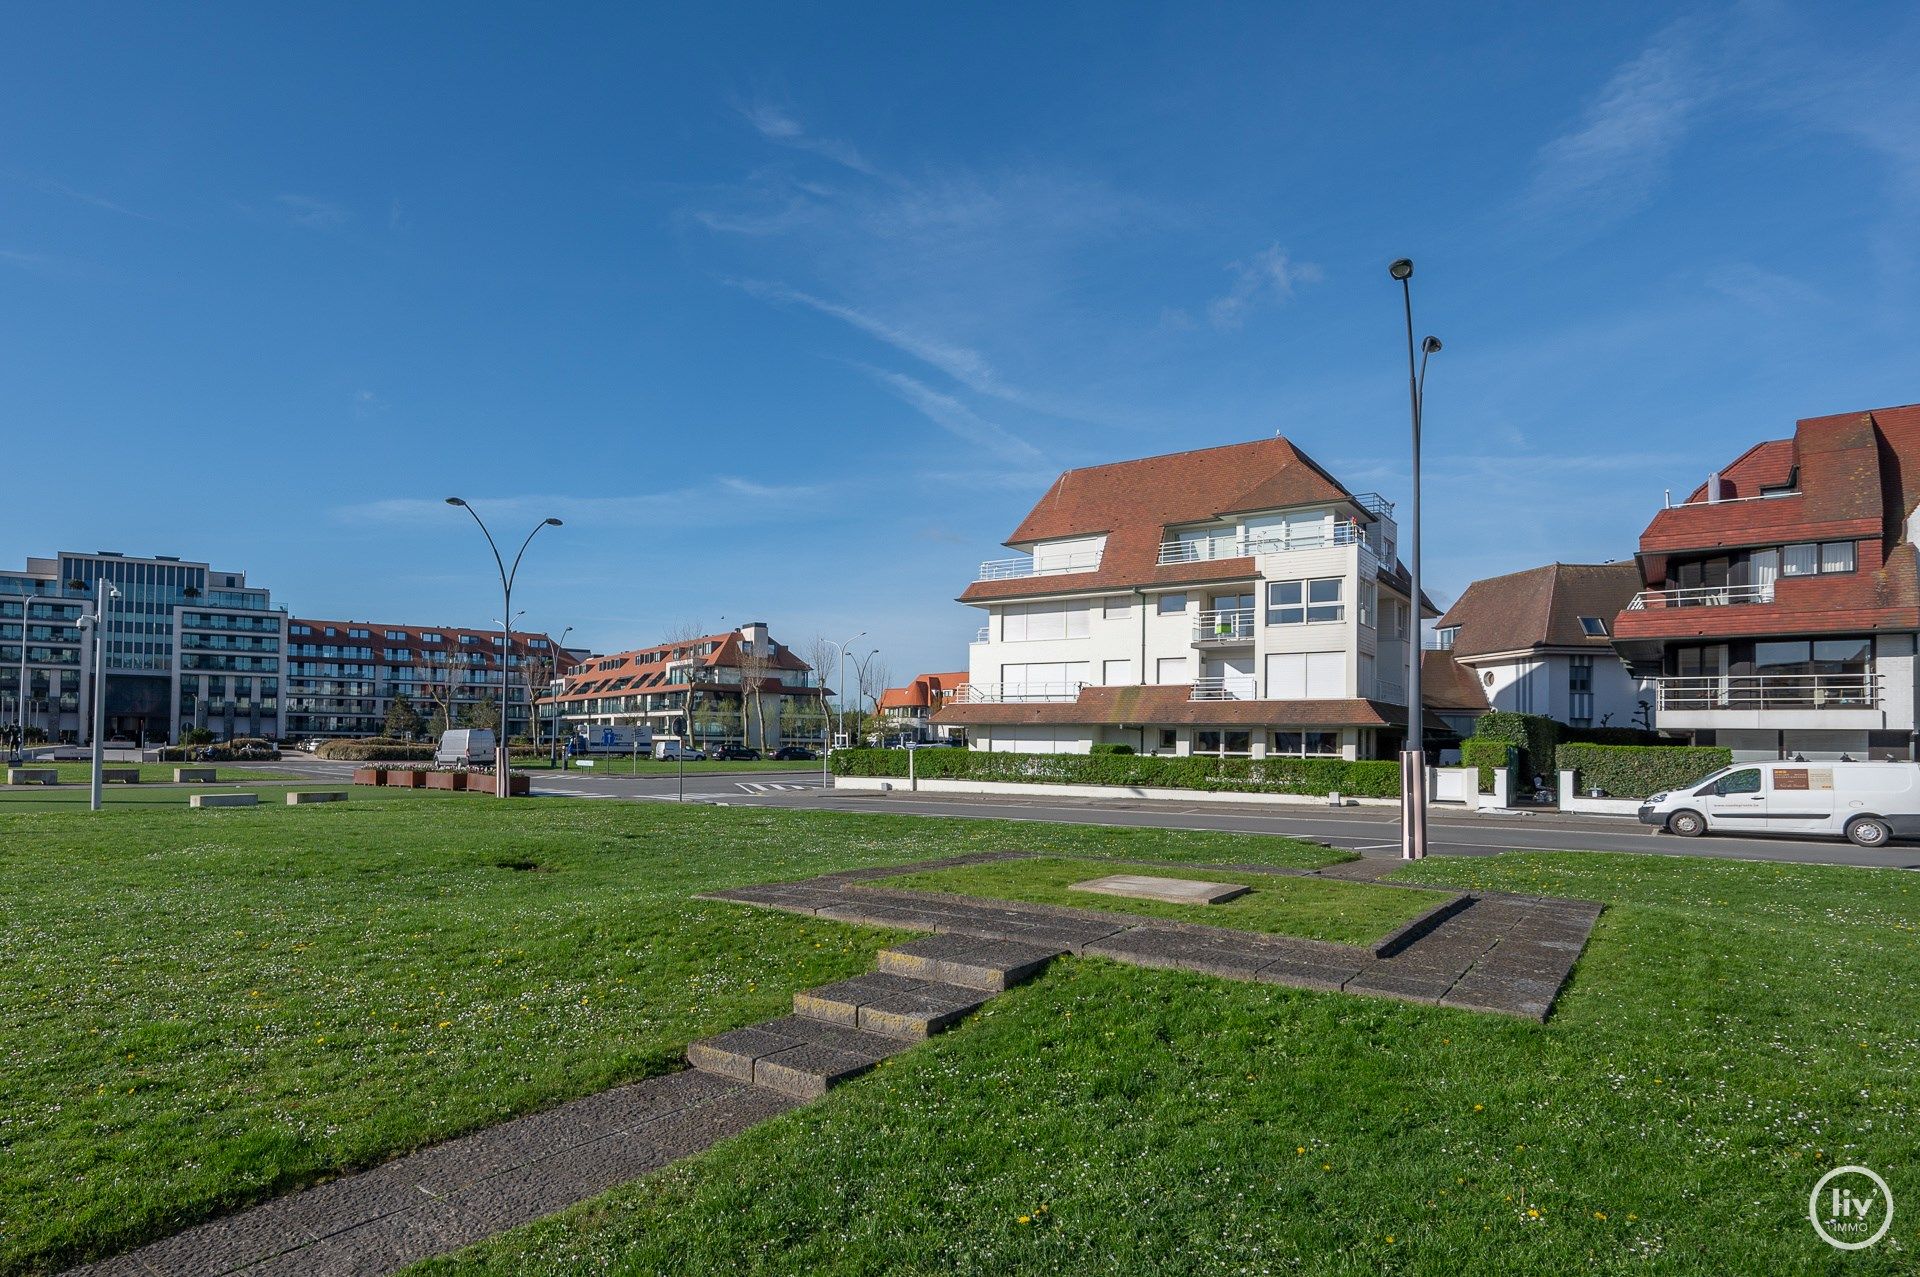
1372 831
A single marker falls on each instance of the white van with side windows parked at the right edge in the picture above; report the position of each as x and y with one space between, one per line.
1867 804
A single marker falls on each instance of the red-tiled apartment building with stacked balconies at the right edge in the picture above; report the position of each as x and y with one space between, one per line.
1781 598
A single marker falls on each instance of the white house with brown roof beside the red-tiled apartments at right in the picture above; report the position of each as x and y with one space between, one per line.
1541 642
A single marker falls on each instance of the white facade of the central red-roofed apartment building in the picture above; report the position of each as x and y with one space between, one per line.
1312 623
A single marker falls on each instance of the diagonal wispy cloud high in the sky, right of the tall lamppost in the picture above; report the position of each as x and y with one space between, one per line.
1614 160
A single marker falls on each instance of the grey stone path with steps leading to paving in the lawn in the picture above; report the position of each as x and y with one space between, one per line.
1489 953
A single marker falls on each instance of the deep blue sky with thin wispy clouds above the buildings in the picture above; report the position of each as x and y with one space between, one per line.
792 312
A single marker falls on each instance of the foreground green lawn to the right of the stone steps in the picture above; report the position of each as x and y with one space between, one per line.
1733 1032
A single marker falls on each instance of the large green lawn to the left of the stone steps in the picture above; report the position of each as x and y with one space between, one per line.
208 1009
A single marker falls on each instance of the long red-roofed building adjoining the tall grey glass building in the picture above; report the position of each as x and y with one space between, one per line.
343 677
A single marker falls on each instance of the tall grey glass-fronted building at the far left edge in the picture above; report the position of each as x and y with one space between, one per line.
187 646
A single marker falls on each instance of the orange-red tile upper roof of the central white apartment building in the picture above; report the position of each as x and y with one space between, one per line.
1136 502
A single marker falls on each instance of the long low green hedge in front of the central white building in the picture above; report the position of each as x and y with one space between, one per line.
1372 781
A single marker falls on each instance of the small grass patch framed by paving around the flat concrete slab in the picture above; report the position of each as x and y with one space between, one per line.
1343 913
